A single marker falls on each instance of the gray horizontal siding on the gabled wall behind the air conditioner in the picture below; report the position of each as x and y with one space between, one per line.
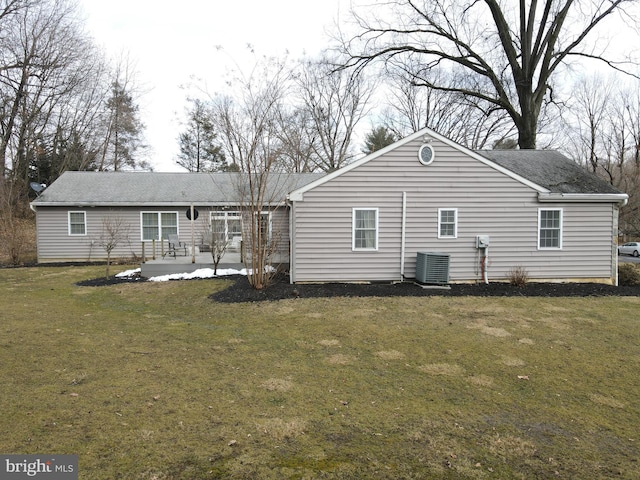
488 203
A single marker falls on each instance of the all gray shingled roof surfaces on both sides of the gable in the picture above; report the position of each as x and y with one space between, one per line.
549 170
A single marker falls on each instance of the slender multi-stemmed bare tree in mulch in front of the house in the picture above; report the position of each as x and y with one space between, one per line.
247 123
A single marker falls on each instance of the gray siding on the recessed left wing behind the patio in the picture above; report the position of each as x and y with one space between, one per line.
56 245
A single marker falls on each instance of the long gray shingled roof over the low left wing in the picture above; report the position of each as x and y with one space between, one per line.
161 189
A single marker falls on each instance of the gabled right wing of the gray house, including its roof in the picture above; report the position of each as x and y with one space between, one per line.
426 207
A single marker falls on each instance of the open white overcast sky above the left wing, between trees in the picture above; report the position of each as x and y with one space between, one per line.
171 42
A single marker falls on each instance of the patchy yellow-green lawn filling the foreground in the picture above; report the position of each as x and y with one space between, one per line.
157 381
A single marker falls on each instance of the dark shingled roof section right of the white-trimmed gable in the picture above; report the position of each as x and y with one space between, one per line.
550 170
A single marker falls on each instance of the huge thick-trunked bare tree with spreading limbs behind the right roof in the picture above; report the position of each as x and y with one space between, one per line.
510 52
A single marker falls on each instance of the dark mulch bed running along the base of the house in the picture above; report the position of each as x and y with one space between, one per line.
240 291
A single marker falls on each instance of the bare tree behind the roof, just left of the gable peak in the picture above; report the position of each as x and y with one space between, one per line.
335 101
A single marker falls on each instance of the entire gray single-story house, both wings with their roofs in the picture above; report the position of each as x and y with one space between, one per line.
422 208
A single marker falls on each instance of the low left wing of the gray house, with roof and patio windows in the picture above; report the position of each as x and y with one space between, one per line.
81 212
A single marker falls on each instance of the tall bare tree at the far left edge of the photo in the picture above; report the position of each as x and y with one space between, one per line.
46 59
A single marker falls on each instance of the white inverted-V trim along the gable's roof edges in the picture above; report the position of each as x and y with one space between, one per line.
298 195
